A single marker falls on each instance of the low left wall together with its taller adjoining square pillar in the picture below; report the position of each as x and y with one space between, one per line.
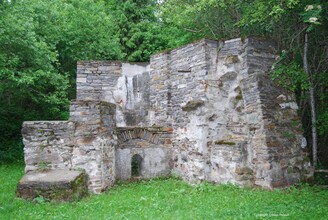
85 142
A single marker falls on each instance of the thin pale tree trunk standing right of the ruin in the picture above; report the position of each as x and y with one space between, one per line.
312 102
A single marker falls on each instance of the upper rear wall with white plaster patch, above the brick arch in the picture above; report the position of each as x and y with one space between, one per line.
124 84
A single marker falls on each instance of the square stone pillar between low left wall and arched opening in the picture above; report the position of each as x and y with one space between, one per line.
95 142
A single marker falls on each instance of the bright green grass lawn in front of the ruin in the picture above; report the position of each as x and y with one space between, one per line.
168 199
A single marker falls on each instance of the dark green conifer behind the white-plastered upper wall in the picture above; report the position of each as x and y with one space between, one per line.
138 28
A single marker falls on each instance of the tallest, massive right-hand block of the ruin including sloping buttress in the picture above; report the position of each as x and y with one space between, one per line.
226 114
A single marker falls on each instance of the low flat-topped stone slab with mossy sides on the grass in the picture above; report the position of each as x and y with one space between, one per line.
55 185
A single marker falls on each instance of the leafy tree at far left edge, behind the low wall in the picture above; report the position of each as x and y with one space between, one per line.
30 86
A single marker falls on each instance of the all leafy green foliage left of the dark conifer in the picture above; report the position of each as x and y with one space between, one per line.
40 42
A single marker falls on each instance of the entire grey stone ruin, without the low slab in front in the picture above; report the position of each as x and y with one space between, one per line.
206 111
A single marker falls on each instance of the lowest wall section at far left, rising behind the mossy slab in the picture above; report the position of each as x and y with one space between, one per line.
48 144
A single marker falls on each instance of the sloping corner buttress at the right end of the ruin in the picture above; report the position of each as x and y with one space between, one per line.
274 127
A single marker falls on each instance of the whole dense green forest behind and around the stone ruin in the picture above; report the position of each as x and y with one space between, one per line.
41 40
